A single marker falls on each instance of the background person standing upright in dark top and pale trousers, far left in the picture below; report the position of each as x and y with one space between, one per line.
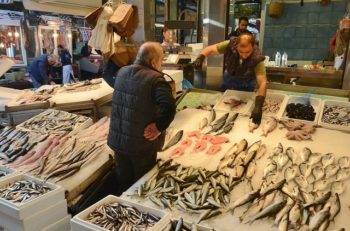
66 61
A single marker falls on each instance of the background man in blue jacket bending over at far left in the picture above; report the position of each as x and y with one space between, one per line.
38 69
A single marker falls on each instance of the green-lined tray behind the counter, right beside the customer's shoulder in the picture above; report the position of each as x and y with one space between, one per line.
194 98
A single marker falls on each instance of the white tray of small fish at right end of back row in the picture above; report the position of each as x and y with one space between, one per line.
333 103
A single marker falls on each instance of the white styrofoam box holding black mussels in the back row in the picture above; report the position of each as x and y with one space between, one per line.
315 103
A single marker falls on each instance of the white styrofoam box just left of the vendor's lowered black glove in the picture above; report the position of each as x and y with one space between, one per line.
238 95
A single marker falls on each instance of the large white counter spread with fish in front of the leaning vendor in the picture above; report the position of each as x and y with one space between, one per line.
285 174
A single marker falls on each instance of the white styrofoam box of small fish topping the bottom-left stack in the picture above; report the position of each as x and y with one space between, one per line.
21 211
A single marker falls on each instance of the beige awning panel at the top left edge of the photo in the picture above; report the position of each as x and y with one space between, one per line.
73 7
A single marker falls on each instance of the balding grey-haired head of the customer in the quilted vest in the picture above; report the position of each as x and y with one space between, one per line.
147 52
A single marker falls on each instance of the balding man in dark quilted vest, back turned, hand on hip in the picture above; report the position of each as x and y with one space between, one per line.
142 108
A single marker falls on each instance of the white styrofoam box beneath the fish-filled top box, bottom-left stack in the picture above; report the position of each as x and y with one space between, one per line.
40 220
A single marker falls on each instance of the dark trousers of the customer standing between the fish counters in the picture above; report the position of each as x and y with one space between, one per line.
131 167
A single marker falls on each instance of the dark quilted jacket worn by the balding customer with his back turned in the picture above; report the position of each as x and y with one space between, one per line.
141 96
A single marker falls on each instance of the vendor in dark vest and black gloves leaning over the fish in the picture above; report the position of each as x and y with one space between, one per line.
244 68
